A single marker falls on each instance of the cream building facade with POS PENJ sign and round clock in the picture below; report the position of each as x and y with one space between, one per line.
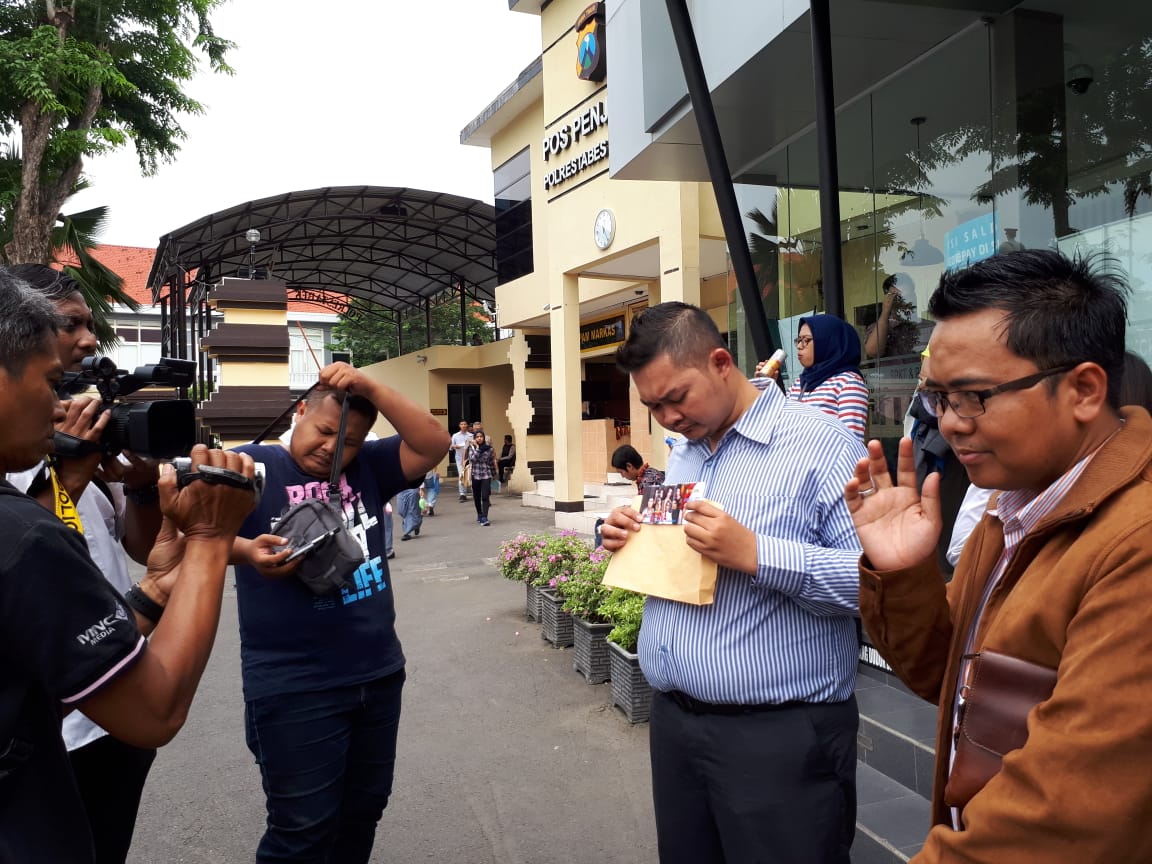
580 254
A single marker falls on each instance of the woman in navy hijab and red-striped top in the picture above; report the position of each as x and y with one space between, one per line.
829 350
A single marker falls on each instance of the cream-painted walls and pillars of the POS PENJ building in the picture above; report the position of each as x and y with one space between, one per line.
668 219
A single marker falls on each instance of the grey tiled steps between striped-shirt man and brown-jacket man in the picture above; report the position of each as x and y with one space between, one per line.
896 752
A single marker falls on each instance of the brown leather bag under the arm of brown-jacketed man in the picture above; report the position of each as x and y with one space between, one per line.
994 719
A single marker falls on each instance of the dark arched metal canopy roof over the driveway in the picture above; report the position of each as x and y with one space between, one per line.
395 247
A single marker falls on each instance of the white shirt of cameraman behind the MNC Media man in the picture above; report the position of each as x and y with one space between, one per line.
104 527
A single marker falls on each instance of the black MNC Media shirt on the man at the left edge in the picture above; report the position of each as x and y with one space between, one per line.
64 634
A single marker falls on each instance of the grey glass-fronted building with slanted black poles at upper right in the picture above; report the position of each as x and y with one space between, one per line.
965 128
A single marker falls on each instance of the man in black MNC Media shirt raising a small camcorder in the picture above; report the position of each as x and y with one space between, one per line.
69 641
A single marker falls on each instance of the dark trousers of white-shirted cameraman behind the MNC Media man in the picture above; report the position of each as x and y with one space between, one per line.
110 776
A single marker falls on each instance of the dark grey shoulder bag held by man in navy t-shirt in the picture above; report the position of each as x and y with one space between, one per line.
334 555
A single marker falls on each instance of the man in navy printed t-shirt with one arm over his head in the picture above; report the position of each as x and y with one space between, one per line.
323 674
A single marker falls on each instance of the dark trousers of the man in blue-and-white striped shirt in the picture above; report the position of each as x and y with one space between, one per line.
770 787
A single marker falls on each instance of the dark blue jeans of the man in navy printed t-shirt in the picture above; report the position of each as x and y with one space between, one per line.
327 762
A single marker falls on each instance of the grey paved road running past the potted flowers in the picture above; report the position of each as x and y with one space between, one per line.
506 755
